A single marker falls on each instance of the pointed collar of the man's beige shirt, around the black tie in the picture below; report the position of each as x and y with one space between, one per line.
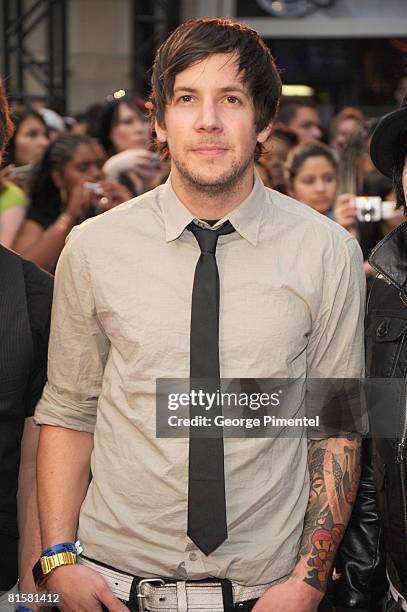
245 218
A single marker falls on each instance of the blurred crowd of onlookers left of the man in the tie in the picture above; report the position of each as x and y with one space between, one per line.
55 178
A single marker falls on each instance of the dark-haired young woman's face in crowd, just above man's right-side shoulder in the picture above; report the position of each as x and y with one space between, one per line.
311 176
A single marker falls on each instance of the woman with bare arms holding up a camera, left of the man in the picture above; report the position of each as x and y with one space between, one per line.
59 198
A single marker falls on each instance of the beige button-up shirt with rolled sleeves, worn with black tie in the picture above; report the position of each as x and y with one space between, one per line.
291 305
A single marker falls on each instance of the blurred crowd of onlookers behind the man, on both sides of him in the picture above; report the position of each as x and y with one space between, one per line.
59 171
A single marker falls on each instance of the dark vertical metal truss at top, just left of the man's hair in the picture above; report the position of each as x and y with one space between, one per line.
152 23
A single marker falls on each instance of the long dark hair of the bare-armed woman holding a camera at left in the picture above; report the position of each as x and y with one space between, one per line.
45 195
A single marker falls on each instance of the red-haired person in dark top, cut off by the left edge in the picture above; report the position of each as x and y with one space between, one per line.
25 305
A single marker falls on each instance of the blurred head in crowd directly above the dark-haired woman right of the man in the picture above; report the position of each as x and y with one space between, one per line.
300 115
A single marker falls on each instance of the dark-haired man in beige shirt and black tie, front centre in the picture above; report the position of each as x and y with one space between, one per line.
210 273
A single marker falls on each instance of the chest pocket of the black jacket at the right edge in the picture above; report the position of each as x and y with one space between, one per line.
386 346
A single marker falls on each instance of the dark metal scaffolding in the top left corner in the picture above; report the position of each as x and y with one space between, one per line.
48 68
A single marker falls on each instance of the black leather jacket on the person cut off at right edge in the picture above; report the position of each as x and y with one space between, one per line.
377 533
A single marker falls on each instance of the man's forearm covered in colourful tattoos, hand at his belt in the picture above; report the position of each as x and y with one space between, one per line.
334 467
